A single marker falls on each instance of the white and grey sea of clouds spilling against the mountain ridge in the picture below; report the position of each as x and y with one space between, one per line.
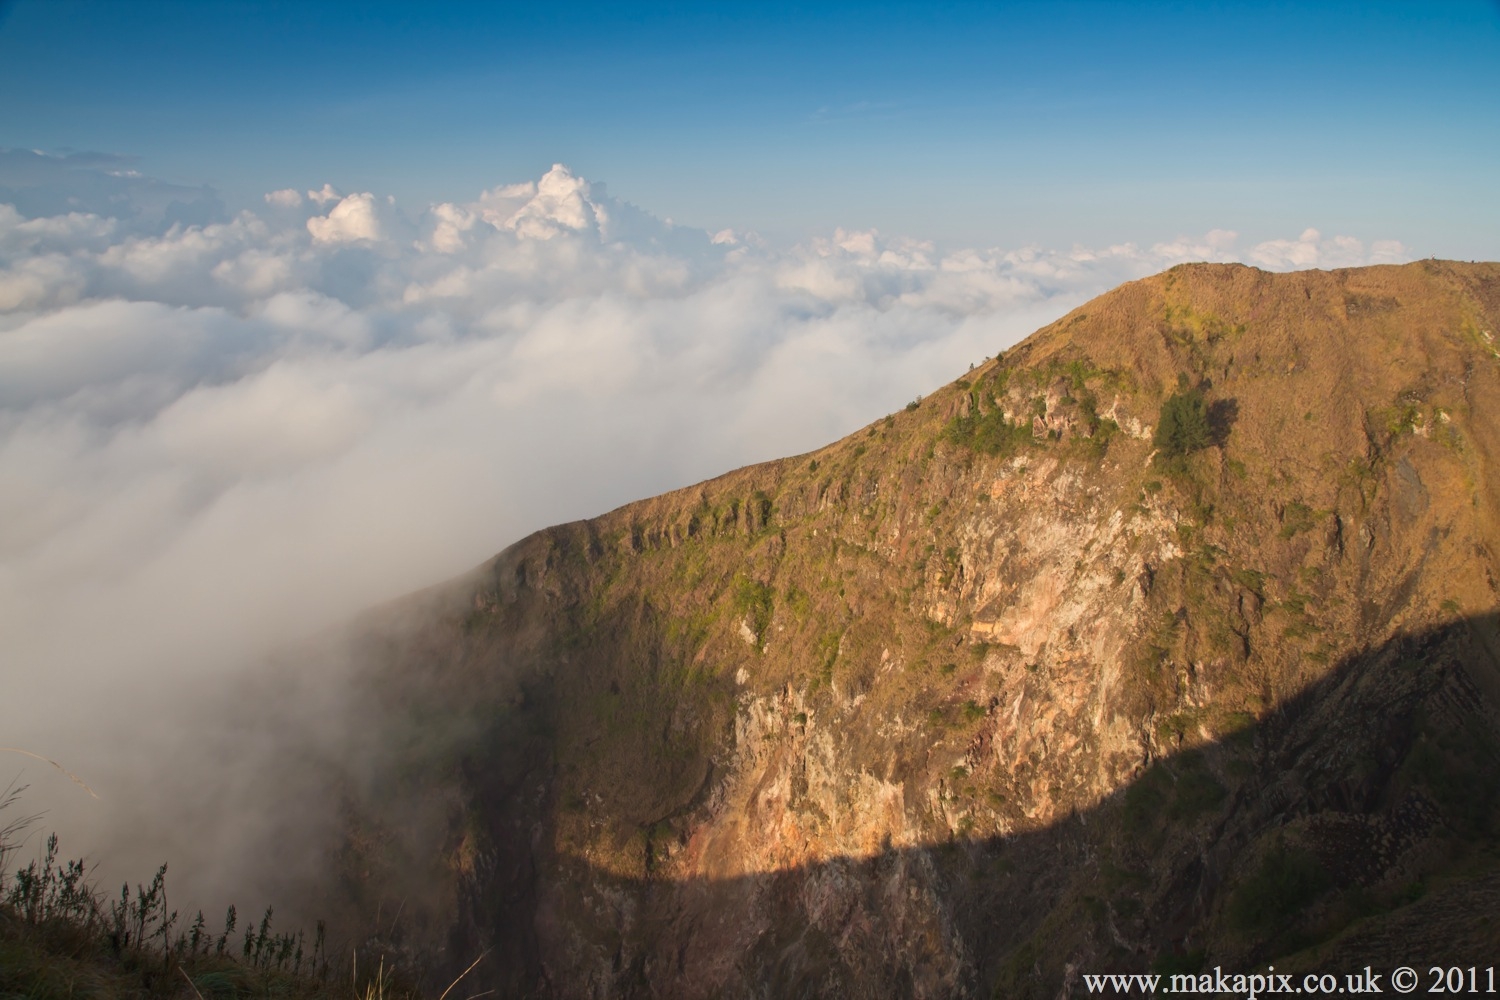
223 437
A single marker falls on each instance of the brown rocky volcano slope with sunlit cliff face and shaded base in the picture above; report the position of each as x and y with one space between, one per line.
1000 690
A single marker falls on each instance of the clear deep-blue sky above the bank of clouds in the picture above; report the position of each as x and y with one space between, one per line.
1000 124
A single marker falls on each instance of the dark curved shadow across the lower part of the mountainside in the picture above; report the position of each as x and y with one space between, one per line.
1352 825
